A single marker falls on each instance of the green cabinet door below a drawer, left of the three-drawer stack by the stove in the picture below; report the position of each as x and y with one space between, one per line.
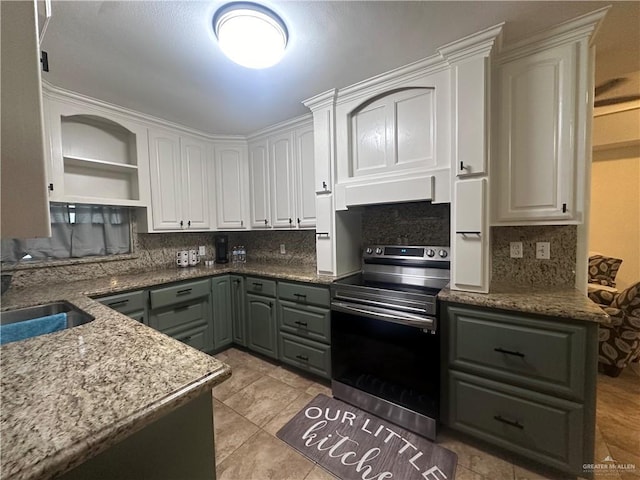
261 324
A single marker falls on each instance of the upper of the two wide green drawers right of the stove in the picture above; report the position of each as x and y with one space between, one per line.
542 354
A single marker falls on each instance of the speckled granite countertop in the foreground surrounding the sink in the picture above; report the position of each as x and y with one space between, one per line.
69 395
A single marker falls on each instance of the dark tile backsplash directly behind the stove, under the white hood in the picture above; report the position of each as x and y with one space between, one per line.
415 223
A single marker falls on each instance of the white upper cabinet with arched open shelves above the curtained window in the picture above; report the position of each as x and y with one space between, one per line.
96 156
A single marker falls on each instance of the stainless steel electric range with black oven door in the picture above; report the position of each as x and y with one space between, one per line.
385 343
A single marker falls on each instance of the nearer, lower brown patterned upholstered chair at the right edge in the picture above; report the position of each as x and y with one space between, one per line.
619 342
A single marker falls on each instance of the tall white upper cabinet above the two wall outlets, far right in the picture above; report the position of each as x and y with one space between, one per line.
544 88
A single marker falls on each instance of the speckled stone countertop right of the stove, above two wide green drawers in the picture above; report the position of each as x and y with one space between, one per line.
550 301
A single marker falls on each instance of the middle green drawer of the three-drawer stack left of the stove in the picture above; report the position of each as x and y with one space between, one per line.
305 320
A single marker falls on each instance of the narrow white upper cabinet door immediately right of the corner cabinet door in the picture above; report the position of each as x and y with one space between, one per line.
259 184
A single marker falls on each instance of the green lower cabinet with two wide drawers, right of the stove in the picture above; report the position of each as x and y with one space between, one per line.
524 382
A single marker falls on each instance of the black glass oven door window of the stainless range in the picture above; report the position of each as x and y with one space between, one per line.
398 363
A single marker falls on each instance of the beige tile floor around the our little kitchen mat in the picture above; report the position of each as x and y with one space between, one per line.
261 396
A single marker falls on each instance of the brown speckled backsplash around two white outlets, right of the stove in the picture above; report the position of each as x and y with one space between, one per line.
559 270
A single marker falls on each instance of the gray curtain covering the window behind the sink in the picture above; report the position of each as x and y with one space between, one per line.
76 231
